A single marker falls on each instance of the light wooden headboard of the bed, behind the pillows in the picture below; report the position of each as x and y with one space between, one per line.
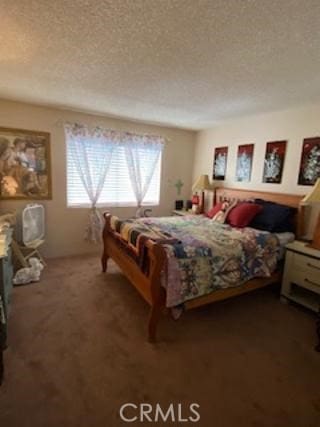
292 200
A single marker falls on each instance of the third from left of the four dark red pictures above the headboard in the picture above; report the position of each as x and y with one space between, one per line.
274 161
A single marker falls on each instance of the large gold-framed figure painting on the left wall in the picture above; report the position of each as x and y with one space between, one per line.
25 171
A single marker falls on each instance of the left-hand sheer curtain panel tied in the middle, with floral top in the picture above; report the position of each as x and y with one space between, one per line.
91 152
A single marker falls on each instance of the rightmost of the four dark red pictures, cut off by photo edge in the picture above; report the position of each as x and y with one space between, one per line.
310 161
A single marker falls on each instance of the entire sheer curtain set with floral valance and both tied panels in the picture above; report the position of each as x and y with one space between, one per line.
91 150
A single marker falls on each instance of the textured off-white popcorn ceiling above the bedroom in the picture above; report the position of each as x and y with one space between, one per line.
185 63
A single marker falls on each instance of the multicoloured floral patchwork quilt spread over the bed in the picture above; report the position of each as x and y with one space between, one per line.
204 256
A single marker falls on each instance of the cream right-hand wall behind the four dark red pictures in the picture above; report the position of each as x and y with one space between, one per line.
292 125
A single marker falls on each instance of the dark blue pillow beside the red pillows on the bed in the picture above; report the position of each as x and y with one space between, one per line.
273 217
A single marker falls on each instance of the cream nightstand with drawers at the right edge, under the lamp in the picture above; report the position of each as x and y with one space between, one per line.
301 278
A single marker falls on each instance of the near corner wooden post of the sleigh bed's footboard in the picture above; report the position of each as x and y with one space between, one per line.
158 294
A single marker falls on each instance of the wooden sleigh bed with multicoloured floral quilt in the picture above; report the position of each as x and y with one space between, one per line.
151 250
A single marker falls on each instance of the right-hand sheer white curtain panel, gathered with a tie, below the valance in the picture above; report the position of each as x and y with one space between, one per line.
142 156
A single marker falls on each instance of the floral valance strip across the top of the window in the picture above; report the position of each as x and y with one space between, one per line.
76 131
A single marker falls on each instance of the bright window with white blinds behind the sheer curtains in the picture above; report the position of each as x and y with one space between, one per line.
117 189
